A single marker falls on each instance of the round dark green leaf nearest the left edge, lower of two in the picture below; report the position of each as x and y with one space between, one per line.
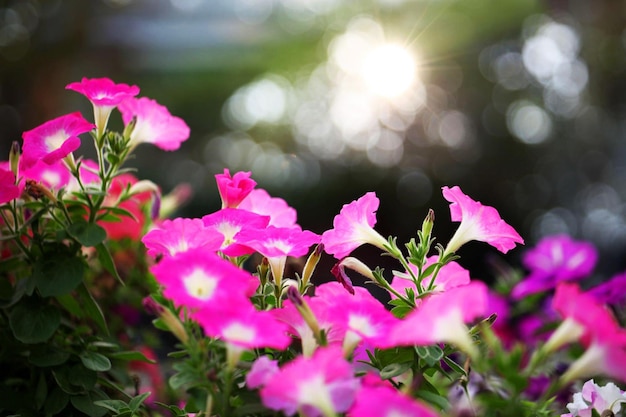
32 321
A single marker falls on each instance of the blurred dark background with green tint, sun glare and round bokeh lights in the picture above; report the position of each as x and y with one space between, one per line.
519 102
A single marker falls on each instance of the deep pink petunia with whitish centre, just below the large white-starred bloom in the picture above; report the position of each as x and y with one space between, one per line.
241 325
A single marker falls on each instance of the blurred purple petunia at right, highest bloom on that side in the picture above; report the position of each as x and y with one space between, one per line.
555 259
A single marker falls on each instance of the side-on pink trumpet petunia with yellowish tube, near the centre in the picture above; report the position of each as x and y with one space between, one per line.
277 243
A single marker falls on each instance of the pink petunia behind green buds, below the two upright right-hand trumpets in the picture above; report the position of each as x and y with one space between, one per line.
450 275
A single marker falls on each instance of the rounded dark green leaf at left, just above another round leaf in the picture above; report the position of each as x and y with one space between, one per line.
57 274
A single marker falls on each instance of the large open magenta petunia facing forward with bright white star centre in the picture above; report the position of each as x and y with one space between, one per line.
201 279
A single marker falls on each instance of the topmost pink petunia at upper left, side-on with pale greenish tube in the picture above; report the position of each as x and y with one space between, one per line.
104 95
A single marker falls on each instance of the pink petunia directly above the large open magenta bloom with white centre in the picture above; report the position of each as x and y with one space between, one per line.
179 235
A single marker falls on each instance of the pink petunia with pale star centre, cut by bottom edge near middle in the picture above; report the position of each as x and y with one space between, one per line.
322 385
